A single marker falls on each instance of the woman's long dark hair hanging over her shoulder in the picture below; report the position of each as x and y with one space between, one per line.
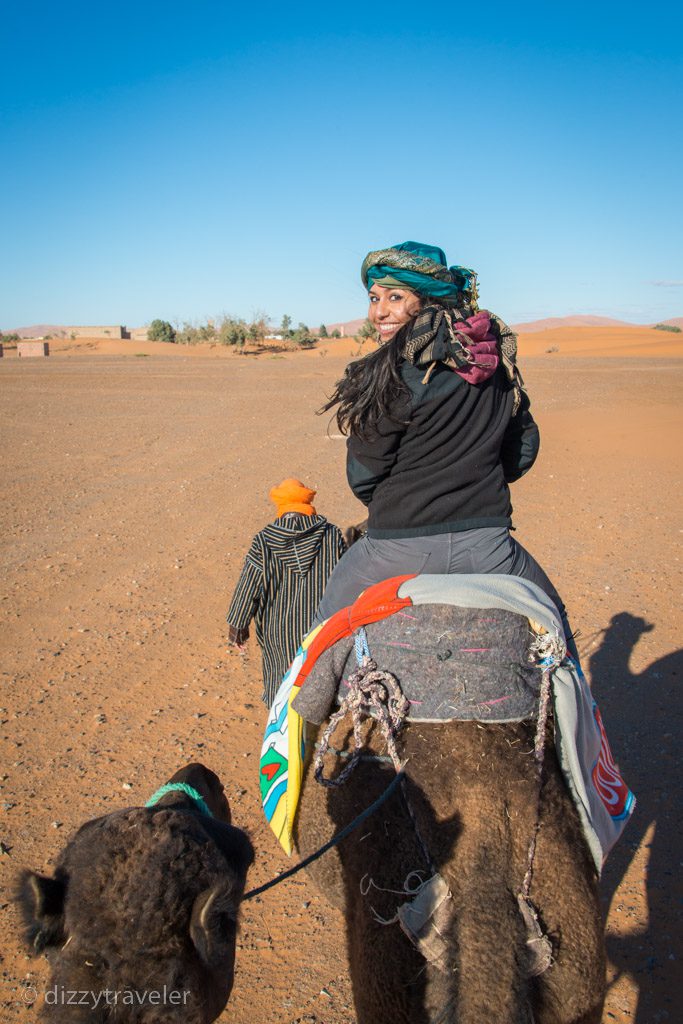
370 390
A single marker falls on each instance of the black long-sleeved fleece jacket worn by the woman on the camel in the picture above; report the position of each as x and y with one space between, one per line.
443 461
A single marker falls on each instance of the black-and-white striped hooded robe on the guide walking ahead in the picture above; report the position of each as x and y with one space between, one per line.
281 586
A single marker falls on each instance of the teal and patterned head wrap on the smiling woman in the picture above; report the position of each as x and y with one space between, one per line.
422 269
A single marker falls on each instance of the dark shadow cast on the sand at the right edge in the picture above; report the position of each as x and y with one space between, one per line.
643 715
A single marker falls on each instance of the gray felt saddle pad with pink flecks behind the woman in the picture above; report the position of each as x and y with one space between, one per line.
451 663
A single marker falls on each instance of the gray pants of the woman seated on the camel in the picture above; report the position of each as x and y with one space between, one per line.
490 550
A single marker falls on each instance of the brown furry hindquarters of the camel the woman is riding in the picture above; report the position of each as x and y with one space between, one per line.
474 794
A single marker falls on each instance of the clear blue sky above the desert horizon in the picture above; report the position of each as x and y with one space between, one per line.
188 160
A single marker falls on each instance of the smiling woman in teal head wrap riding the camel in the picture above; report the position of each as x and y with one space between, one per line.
439 425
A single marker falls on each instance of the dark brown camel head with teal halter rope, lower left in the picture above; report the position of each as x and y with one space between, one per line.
140 919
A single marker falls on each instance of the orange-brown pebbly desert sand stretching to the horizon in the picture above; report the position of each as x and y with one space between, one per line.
135 477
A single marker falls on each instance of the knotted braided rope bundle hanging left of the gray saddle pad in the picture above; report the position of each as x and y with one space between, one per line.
372 693
